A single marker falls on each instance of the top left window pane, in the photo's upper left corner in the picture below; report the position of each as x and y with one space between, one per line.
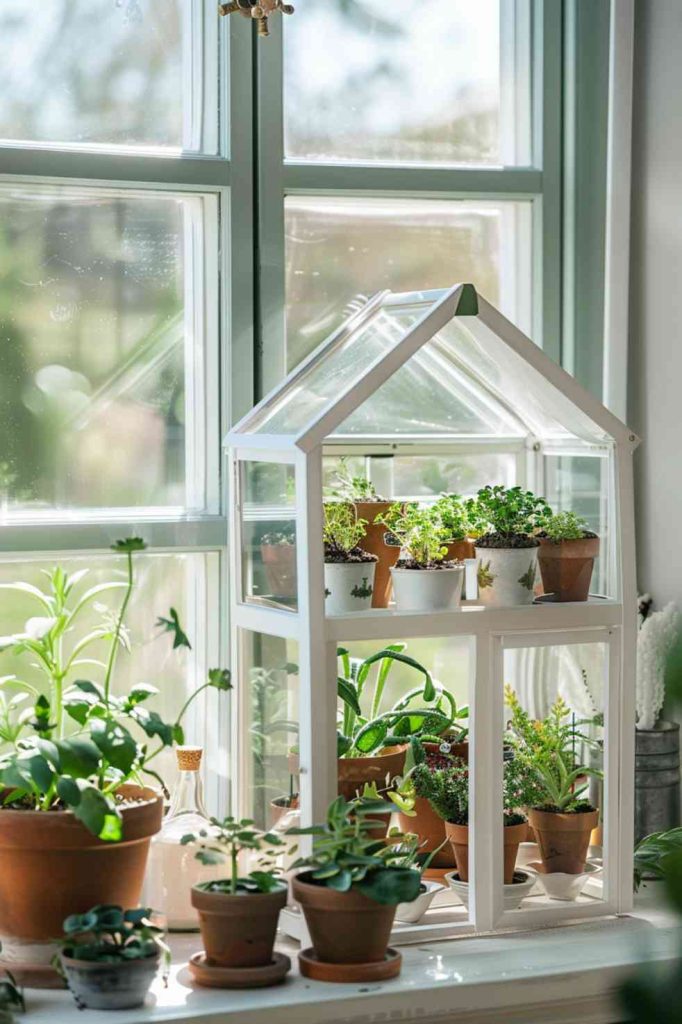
113 73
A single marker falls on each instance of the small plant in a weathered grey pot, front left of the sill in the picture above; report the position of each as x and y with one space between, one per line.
110 957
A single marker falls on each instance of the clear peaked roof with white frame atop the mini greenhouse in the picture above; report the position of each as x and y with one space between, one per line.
442 364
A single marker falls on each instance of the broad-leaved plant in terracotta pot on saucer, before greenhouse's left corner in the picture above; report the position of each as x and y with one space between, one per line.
350 888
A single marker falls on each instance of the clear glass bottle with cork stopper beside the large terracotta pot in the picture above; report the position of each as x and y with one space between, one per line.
173 869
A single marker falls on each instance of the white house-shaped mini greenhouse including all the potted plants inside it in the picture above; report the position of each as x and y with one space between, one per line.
433 552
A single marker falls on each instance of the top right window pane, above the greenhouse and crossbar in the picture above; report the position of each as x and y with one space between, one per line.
436 86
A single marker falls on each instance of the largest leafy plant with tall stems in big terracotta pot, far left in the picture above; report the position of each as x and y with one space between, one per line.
77 816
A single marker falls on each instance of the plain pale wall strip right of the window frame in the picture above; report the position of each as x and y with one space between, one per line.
656 325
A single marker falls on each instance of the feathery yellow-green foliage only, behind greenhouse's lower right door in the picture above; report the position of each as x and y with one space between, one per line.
549 749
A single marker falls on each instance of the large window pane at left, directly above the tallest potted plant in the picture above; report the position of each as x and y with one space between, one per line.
99 356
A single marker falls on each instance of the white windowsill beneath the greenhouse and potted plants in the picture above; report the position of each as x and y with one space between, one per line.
527 975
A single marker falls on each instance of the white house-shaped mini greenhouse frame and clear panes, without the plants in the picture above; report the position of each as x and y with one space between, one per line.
425 393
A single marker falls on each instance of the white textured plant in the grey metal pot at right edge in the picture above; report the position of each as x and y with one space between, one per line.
655 644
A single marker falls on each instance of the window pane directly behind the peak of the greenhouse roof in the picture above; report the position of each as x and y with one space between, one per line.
340 251
